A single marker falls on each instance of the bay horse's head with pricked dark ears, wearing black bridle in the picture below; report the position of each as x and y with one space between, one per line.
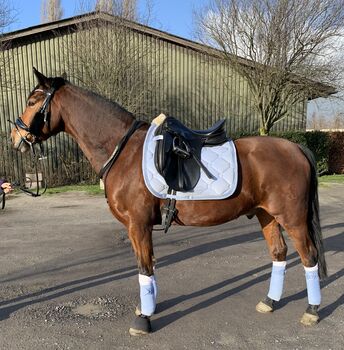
41 117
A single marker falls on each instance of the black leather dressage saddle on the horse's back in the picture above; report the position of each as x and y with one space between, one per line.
178 154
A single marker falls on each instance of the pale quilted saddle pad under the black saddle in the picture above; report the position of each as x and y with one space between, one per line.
221 161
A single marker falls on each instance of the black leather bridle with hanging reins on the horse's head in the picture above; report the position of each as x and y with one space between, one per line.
32 137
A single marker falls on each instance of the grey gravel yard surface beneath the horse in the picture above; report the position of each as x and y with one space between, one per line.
69 281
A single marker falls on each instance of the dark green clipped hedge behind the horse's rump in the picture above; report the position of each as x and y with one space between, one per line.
317 141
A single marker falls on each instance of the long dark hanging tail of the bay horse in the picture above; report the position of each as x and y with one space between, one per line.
313 219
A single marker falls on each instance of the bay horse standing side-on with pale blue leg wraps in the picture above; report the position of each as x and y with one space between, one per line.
277 183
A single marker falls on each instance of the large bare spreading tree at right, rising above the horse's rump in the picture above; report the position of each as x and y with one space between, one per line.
285 49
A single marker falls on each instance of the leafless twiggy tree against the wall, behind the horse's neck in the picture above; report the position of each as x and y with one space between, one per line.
110 59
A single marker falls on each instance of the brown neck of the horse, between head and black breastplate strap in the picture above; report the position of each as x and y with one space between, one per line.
96 124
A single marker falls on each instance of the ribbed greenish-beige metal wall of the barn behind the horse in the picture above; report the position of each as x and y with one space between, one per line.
195 87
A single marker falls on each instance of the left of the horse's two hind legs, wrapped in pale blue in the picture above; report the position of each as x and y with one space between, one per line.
278 252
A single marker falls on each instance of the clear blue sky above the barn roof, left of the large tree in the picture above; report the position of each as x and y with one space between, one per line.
173 16
